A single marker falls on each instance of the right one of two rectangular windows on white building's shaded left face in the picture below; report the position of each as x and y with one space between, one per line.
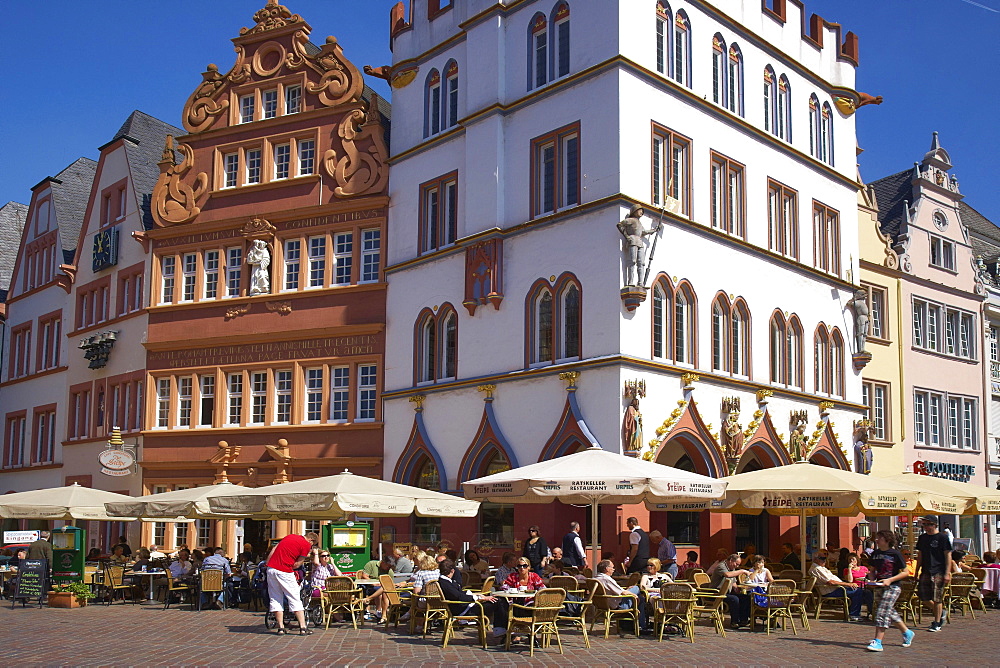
555 169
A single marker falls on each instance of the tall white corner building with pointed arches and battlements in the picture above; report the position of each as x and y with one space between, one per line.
522 134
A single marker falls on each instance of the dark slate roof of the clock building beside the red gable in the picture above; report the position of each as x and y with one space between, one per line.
144 137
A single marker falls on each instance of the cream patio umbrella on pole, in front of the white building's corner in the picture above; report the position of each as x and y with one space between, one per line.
594 476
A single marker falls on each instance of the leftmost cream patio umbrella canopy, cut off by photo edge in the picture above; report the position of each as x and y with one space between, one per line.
72 502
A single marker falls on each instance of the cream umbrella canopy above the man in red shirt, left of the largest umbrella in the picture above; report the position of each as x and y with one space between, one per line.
336 496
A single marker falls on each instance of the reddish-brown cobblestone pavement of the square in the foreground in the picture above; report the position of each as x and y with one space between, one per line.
147 635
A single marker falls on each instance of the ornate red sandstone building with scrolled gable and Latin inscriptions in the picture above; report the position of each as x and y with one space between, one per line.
267 310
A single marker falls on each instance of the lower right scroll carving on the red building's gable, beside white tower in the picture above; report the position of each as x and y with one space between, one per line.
361 168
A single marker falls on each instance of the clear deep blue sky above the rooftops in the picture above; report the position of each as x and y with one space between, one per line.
75 71
